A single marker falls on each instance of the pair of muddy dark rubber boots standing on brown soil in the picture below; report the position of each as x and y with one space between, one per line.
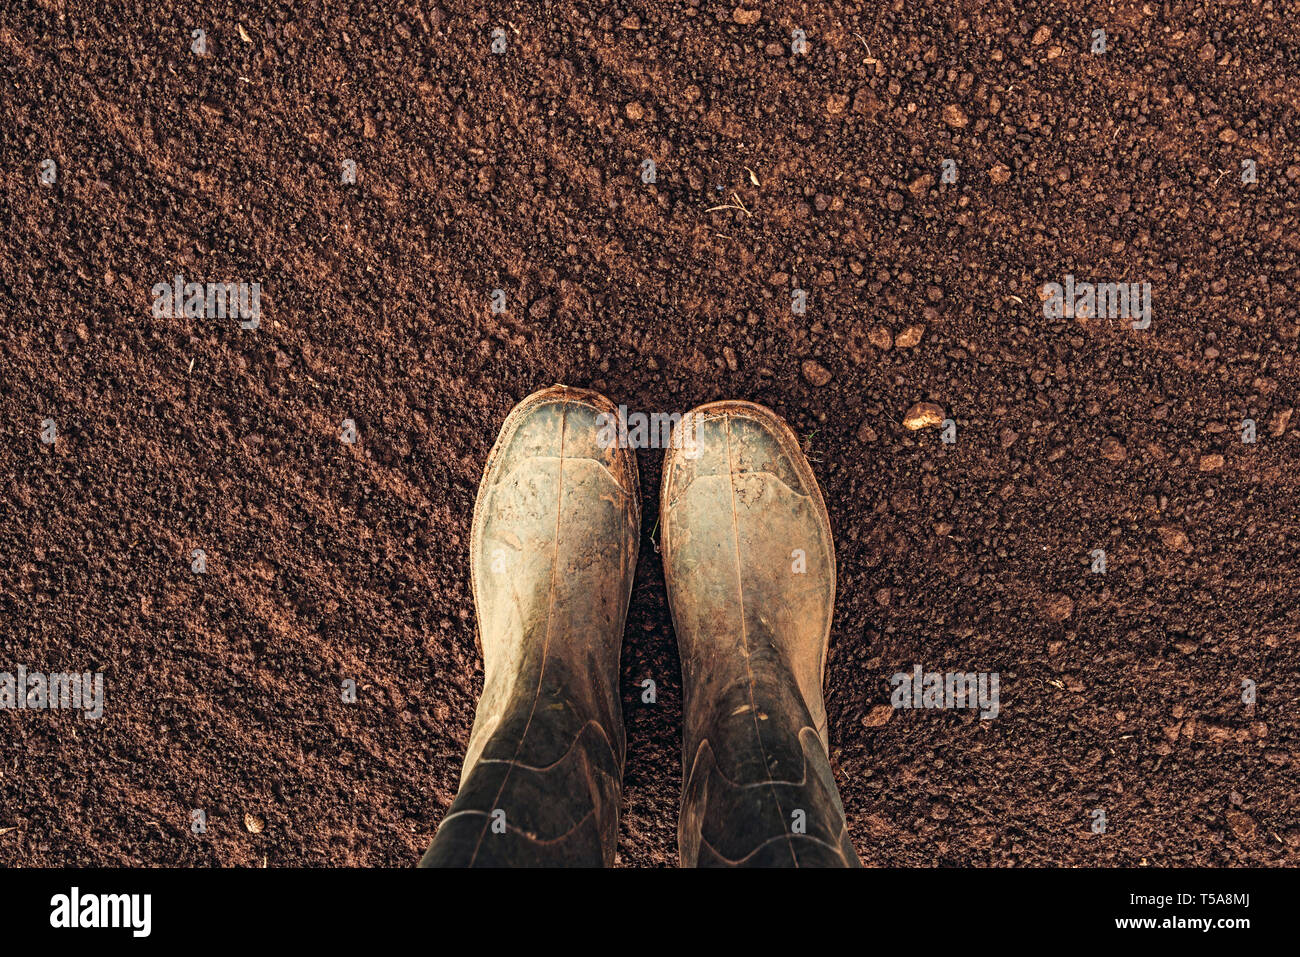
749 566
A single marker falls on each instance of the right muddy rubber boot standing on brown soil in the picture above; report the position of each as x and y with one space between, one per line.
751 571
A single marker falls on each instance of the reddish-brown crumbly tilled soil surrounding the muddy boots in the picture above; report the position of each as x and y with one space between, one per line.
523 171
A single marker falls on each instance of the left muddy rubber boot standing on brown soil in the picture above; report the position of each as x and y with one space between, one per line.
553 552
